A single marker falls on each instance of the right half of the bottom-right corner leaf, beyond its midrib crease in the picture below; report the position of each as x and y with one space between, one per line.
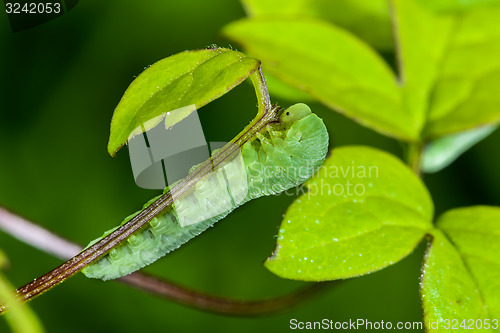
475 232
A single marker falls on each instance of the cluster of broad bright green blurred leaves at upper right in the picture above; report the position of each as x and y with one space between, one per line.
447 71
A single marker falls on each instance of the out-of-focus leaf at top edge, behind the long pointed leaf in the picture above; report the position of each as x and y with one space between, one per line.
369 20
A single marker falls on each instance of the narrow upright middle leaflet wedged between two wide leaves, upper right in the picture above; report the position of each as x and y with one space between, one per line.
421 39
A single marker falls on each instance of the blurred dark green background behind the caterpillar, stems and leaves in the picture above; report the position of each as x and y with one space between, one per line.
59 85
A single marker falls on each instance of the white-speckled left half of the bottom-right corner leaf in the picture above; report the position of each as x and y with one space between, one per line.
447 289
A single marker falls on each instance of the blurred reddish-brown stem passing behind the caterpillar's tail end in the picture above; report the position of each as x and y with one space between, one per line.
44 240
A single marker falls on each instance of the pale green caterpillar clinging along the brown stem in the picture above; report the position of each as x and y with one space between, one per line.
282 155
